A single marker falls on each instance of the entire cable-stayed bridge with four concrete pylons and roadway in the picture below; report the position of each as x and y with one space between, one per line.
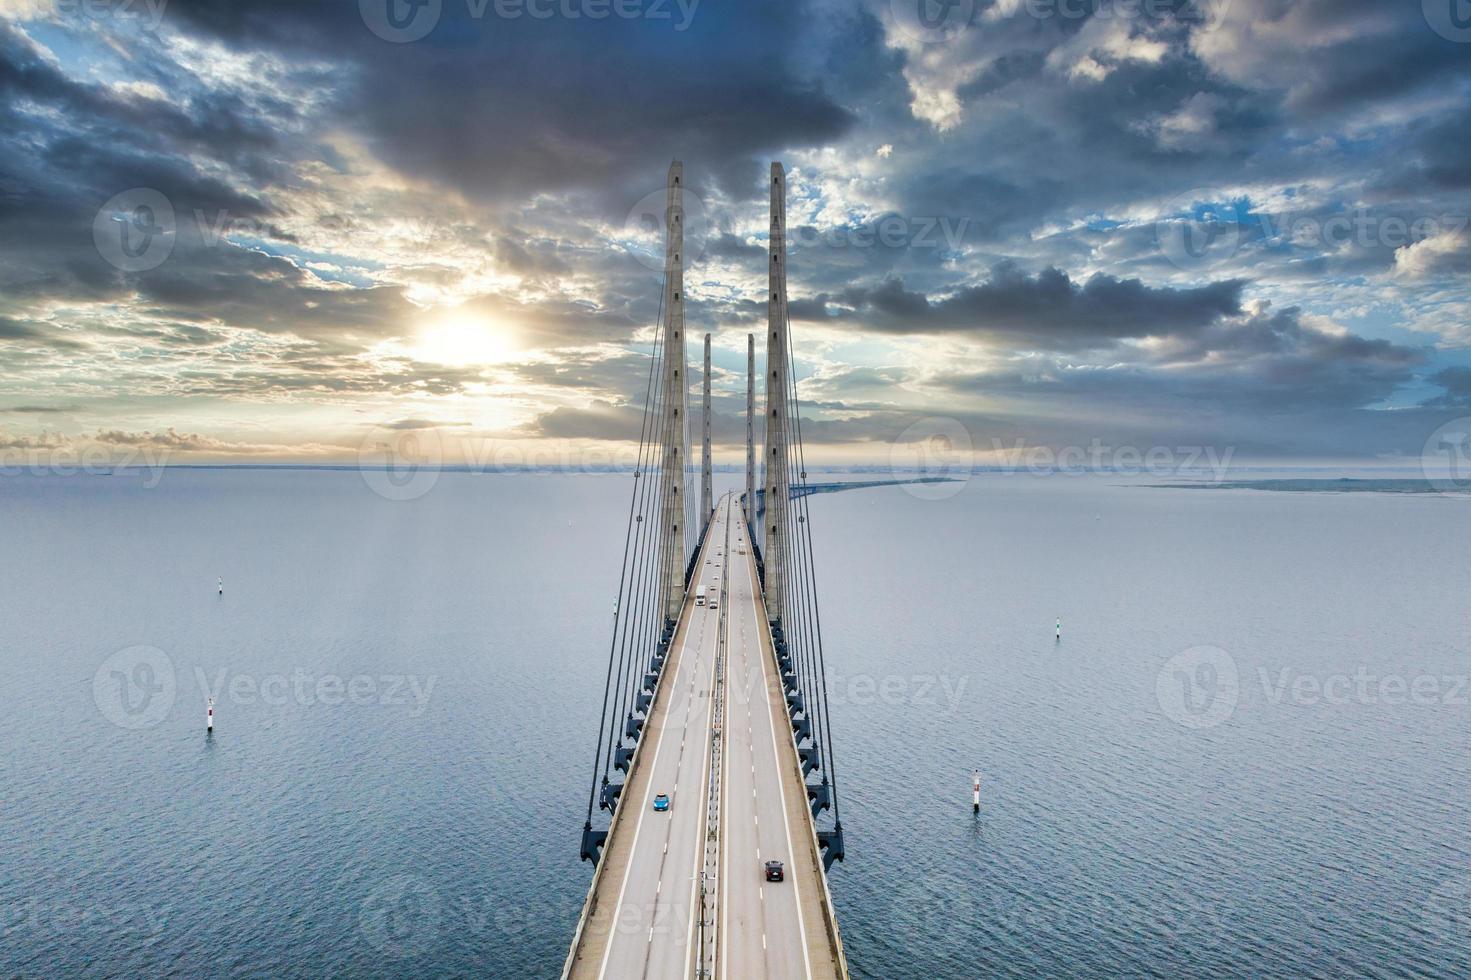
714 753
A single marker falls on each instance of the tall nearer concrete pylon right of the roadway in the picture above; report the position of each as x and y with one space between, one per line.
774 526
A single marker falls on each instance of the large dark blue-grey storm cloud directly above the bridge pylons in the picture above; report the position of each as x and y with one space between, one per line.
496 107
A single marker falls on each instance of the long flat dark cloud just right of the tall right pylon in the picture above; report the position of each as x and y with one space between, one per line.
1047 310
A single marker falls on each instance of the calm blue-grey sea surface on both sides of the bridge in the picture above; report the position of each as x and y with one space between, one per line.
1250 754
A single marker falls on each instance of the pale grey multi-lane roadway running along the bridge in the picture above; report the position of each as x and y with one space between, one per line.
644 909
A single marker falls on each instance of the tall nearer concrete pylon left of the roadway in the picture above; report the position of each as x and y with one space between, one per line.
676 398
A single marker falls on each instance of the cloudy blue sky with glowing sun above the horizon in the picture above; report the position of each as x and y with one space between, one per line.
282 230
